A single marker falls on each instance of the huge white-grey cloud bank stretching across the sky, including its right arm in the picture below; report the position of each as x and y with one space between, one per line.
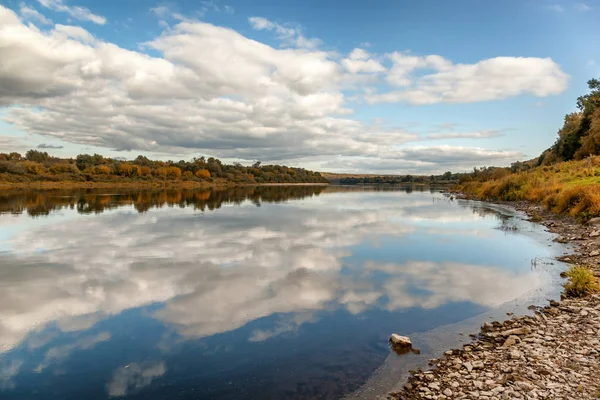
210 90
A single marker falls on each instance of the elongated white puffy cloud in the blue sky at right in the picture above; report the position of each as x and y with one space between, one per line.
492 79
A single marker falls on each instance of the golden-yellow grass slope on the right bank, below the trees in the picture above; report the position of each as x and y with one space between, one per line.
571 187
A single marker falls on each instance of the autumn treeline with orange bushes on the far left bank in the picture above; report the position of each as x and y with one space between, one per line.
40 166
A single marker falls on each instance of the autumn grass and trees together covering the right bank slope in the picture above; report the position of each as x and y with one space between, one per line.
565 178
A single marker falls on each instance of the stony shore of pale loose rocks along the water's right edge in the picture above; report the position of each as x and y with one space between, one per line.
554 354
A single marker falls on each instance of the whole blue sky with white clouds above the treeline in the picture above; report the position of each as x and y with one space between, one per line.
377 87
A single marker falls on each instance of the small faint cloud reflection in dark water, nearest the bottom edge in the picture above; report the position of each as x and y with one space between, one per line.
133 377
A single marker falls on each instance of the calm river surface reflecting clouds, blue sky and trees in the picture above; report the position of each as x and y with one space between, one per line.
257 293
